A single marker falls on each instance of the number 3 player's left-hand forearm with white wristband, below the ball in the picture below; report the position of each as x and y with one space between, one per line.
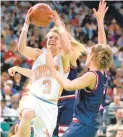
23 39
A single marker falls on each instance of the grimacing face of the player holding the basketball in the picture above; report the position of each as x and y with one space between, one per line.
53 40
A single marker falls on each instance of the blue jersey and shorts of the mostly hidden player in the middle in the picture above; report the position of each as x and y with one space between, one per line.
66 107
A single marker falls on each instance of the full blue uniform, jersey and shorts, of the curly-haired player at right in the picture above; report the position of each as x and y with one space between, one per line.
87 118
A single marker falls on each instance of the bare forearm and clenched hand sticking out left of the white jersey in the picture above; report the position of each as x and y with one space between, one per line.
23 71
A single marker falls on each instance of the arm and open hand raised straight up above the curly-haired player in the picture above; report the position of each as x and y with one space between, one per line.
99 15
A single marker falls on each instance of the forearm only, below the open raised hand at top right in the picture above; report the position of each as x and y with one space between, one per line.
101 32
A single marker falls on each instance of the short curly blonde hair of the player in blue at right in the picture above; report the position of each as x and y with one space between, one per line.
102 55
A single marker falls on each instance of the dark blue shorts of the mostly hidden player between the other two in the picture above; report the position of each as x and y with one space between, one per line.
65 113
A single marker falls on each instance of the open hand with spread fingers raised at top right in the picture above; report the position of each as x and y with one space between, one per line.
102 9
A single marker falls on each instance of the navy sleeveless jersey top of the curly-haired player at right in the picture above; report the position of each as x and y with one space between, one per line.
88 102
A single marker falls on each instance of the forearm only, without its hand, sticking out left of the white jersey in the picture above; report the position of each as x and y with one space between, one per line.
23 71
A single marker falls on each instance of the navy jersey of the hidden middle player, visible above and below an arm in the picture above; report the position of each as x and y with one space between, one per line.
72 75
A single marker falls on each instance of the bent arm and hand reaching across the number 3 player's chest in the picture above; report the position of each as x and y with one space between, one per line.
87 80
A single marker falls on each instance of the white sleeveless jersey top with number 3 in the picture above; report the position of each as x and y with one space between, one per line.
43 84
